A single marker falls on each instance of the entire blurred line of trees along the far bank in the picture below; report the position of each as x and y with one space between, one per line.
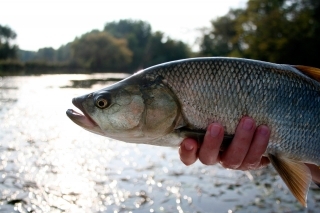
280 31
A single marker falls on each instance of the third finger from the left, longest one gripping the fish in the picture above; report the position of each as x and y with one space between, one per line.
234 155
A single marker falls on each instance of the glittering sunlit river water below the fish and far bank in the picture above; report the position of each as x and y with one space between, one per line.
49 164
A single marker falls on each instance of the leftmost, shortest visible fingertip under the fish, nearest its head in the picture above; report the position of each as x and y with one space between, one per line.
188 151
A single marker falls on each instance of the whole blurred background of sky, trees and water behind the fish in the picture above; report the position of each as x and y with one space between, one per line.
52 51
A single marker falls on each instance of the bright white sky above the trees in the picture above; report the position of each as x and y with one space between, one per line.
52 23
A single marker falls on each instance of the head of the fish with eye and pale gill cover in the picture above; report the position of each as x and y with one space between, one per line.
130 111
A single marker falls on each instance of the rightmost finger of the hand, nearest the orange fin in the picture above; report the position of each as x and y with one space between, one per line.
257 149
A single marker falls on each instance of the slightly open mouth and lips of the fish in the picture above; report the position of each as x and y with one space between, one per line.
81 119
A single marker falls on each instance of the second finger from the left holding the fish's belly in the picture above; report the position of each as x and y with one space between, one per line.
209 150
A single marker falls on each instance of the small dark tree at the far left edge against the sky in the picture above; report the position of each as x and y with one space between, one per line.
7 50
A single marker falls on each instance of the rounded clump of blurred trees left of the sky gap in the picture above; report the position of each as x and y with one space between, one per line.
124 46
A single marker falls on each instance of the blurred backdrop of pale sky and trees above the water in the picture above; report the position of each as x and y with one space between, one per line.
126 36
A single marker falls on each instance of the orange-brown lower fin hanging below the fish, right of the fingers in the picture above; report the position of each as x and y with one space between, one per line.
295 174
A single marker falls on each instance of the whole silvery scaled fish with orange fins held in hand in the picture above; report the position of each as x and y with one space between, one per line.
163 104
